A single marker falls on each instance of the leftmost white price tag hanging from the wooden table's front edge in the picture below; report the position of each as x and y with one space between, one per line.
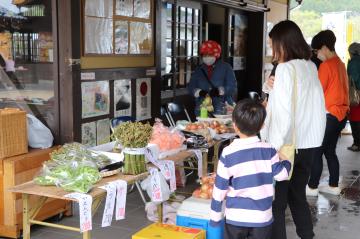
85 203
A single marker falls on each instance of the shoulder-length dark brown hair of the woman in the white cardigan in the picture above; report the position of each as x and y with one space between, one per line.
286 36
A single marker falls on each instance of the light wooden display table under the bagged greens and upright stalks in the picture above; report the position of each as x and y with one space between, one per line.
51 192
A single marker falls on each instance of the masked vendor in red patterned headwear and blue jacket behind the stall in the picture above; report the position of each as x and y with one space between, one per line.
214 78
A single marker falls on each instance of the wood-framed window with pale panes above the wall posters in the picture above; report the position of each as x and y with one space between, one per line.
109 32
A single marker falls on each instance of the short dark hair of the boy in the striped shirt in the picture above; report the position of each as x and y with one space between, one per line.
249 116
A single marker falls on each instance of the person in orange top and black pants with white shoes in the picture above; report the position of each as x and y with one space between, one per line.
333 77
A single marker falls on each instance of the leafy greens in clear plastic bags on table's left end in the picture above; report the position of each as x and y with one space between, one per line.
72 167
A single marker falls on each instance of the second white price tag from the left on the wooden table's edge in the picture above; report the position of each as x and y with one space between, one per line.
109 204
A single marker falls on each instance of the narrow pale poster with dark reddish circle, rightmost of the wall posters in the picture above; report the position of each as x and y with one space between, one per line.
143 98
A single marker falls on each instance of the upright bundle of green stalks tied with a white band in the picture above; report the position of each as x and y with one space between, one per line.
133 135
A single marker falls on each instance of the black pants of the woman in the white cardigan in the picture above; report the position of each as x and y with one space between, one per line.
292 193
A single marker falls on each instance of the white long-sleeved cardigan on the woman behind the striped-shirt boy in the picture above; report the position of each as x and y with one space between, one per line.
310 116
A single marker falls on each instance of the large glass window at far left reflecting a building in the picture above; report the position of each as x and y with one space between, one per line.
27 79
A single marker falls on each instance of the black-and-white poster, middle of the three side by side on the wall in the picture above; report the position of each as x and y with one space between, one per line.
122 97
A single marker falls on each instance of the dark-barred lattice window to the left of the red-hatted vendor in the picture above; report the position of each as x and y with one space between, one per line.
181 57
